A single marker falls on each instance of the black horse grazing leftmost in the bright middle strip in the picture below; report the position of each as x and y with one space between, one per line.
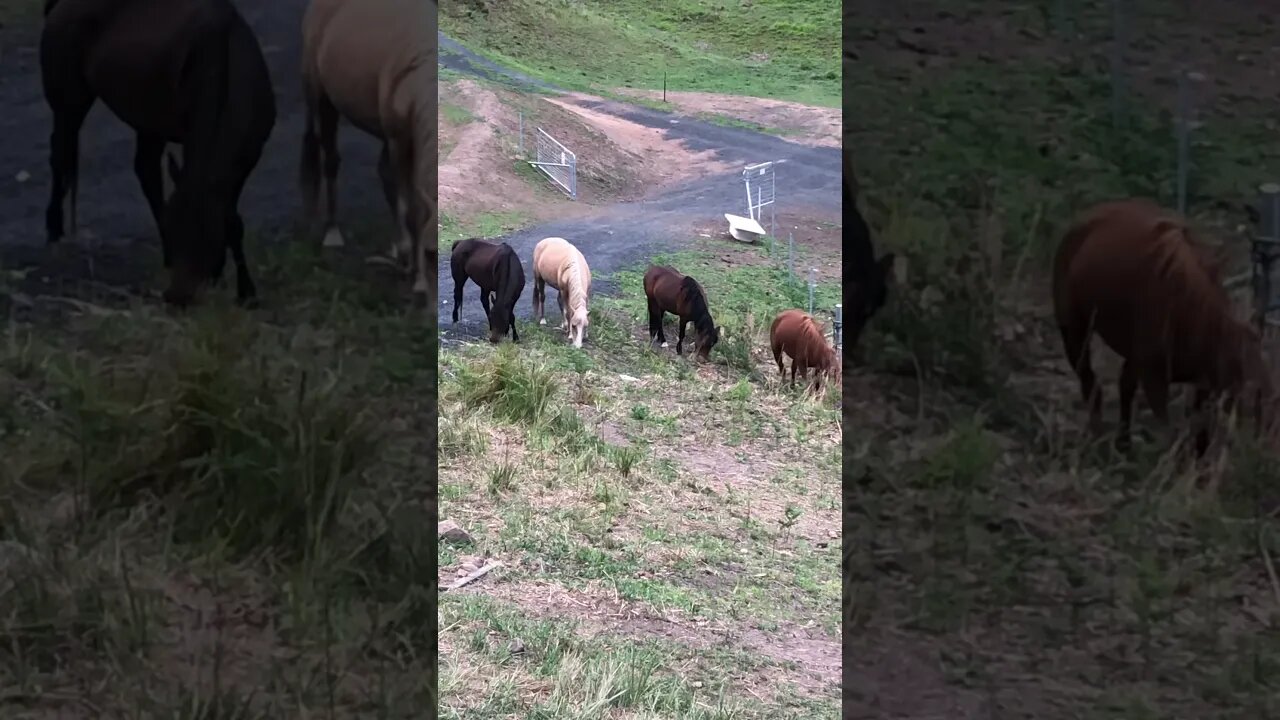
496 268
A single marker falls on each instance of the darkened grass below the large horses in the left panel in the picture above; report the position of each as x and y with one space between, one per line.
221 511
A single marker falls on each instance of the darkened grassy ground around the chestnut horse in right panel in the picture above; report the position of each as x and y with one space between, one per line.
984 516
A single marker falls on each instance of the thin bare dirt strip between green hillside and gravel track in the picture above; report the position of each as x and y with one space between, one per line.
807 125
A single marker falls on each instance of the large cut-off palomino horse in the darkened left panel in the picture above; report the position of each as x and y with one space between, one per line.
373 62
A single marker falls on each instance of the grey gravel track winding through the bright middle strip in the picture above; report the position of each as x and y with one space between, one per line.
618 236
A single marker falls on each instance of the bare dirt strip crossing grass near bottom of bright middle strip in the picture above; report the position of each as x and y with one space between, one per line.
601 612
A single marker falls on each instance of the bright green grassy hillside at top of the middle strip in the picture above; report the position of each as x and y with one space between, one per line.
787 49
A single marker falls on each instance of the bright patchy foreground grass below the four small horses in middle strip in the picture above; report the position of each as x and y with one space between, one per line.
568 466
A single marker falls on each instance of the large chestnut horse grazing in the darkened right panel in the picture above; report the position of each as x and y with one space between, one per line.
1135 275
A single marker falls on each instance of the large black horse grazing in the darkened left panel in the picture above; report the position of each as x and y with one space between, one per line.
189 72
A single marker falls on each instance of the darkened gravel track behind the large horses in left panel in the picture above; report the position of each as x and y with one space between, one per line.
112 208
